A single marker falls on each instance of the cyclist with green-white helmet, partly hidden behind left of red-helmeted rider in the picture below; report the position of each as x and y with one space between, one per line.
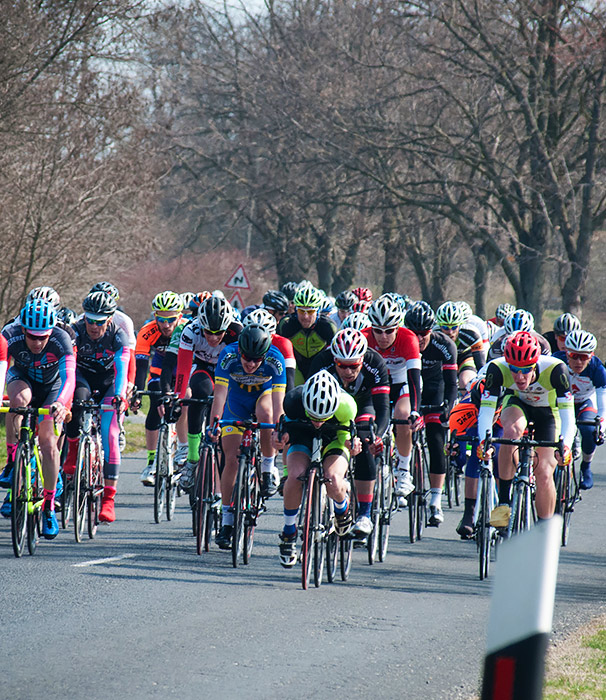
470 346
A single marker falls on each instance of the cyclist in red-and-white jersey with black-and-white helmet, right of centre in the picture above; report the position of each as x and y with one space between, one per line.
399 348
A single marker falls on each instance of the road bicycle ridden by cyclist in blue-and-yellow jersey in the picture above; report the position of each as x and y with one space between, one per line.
248 503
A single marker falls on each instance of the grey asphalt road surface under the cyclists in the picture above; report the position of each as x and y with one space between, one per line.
160 621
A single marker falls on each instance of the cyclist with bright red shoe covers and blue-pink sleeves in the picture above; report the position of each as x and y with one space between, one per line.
102 360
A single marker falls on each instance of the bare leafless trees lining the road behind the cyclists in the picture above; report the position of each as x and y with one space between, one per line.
451 149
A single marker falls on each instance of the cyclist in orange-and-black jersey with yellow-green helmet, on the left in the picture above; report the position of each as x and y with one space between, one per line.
152 341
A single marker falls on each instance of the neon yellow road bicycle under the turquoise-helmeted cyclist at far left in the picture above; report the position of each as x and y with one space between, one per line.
27 482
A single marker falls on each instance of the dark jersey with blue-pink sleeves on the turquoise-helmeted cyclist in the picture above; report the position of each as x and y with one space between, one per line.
55 364
